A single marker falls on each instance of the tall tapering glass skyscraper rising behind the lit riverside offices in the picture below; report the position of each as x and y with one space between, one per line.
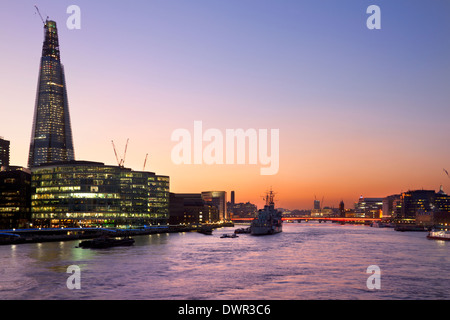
51 138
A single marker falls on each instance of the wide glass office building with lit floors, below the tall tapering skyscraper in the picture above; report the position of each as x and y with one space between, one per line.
92 194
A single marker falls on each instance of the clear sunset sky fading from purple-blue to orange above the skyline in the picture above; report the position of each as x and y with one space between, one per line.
360 112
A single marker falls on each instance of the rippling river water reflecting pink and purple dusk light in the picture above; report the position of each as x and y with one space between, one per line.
307 261
